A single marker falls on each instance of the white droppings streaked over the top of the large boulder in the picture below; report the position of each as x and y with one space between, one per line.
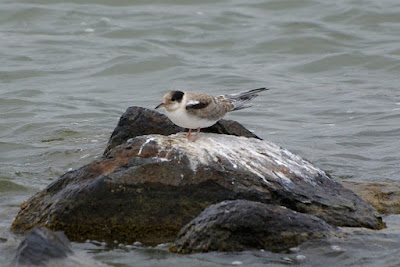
264 159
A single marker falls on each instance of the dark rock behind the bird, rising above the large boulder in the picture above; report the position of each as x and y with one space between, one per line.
137 121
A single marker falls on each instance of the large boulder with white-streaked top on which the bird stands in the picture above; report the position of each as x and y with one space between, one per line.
148 188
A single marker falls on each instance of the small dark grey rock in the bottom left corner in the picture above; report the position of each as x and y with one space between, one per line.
41 246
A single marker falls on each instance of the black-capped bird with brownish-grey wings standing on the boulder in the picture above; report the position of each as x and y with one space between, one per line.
197 110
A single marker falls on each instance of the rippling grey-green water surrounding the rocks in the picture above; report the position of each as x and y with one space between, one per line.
69 70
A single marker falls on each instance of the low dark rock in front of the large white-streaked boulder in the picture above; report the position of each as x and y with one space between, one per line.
244 225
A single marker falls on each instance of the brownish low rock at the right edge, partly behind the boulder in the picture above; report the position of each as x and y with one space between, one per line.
384 197
